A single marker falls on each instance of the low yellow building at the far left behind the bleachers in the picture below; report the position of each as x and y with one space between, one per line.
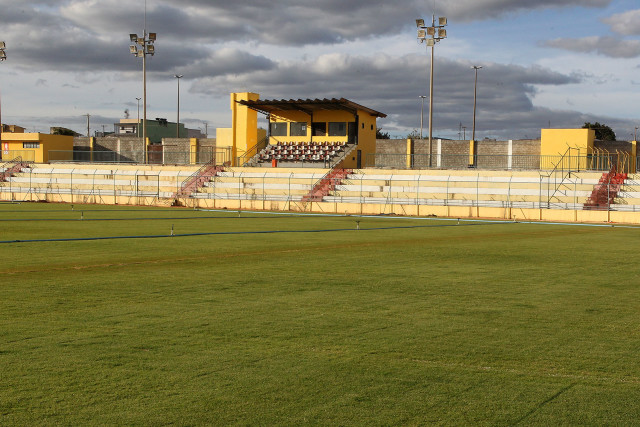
14 143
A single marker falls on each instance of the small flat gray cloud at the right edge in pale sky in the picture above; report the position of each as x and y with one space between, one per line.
606 46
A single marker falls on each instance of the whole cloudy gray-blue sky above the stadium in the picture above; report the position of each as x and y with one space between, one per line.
545 63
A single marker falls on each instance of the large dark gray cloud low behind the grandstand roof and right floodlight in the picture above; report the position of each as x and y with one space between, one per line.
392 85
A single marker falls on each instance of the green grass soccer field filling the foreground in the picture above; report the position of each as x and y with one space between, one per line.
252 318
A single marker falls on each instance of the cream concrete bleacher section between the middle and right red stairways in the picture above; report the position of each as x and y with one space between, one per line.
462 188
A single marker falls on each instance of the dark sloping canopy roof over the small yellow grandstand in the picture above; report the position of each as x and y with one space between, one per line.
308 106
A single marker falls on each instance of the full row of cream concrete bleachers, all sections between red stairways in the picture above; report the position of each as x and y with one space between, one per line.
155 184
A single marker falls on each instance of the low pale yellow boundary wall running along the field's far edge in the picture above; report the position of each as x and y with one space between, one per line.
467 212
